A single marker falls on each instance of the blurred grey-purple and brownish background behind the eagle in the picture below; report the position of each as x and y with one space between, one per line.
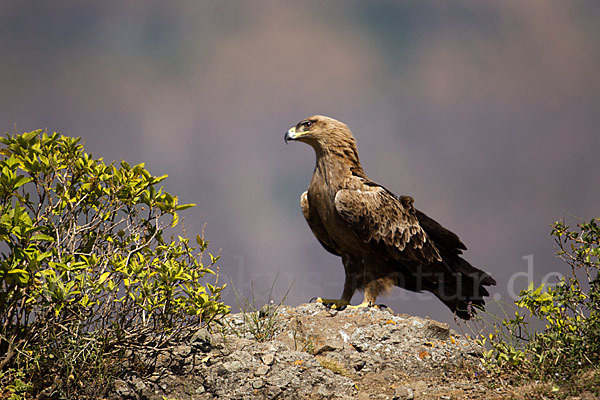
487 113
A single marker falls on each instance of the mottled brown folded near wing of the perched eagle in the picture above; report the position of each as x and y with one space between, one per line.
386 222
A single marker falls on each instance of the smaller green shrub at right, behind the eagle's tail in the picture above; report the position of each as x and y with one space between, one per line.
569 343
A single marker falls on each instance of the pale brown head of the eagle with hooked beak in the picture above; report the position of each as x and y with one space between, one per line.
320 132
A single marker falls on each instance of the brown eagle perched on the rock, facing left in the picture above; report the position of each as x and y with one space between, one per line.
383 240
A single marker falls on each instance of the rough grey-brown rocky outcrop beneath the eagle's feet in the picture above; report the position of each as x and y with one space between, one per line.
313 353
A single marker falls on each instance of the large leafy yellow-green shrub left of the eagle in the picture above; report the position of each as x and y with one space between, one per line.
85 272
